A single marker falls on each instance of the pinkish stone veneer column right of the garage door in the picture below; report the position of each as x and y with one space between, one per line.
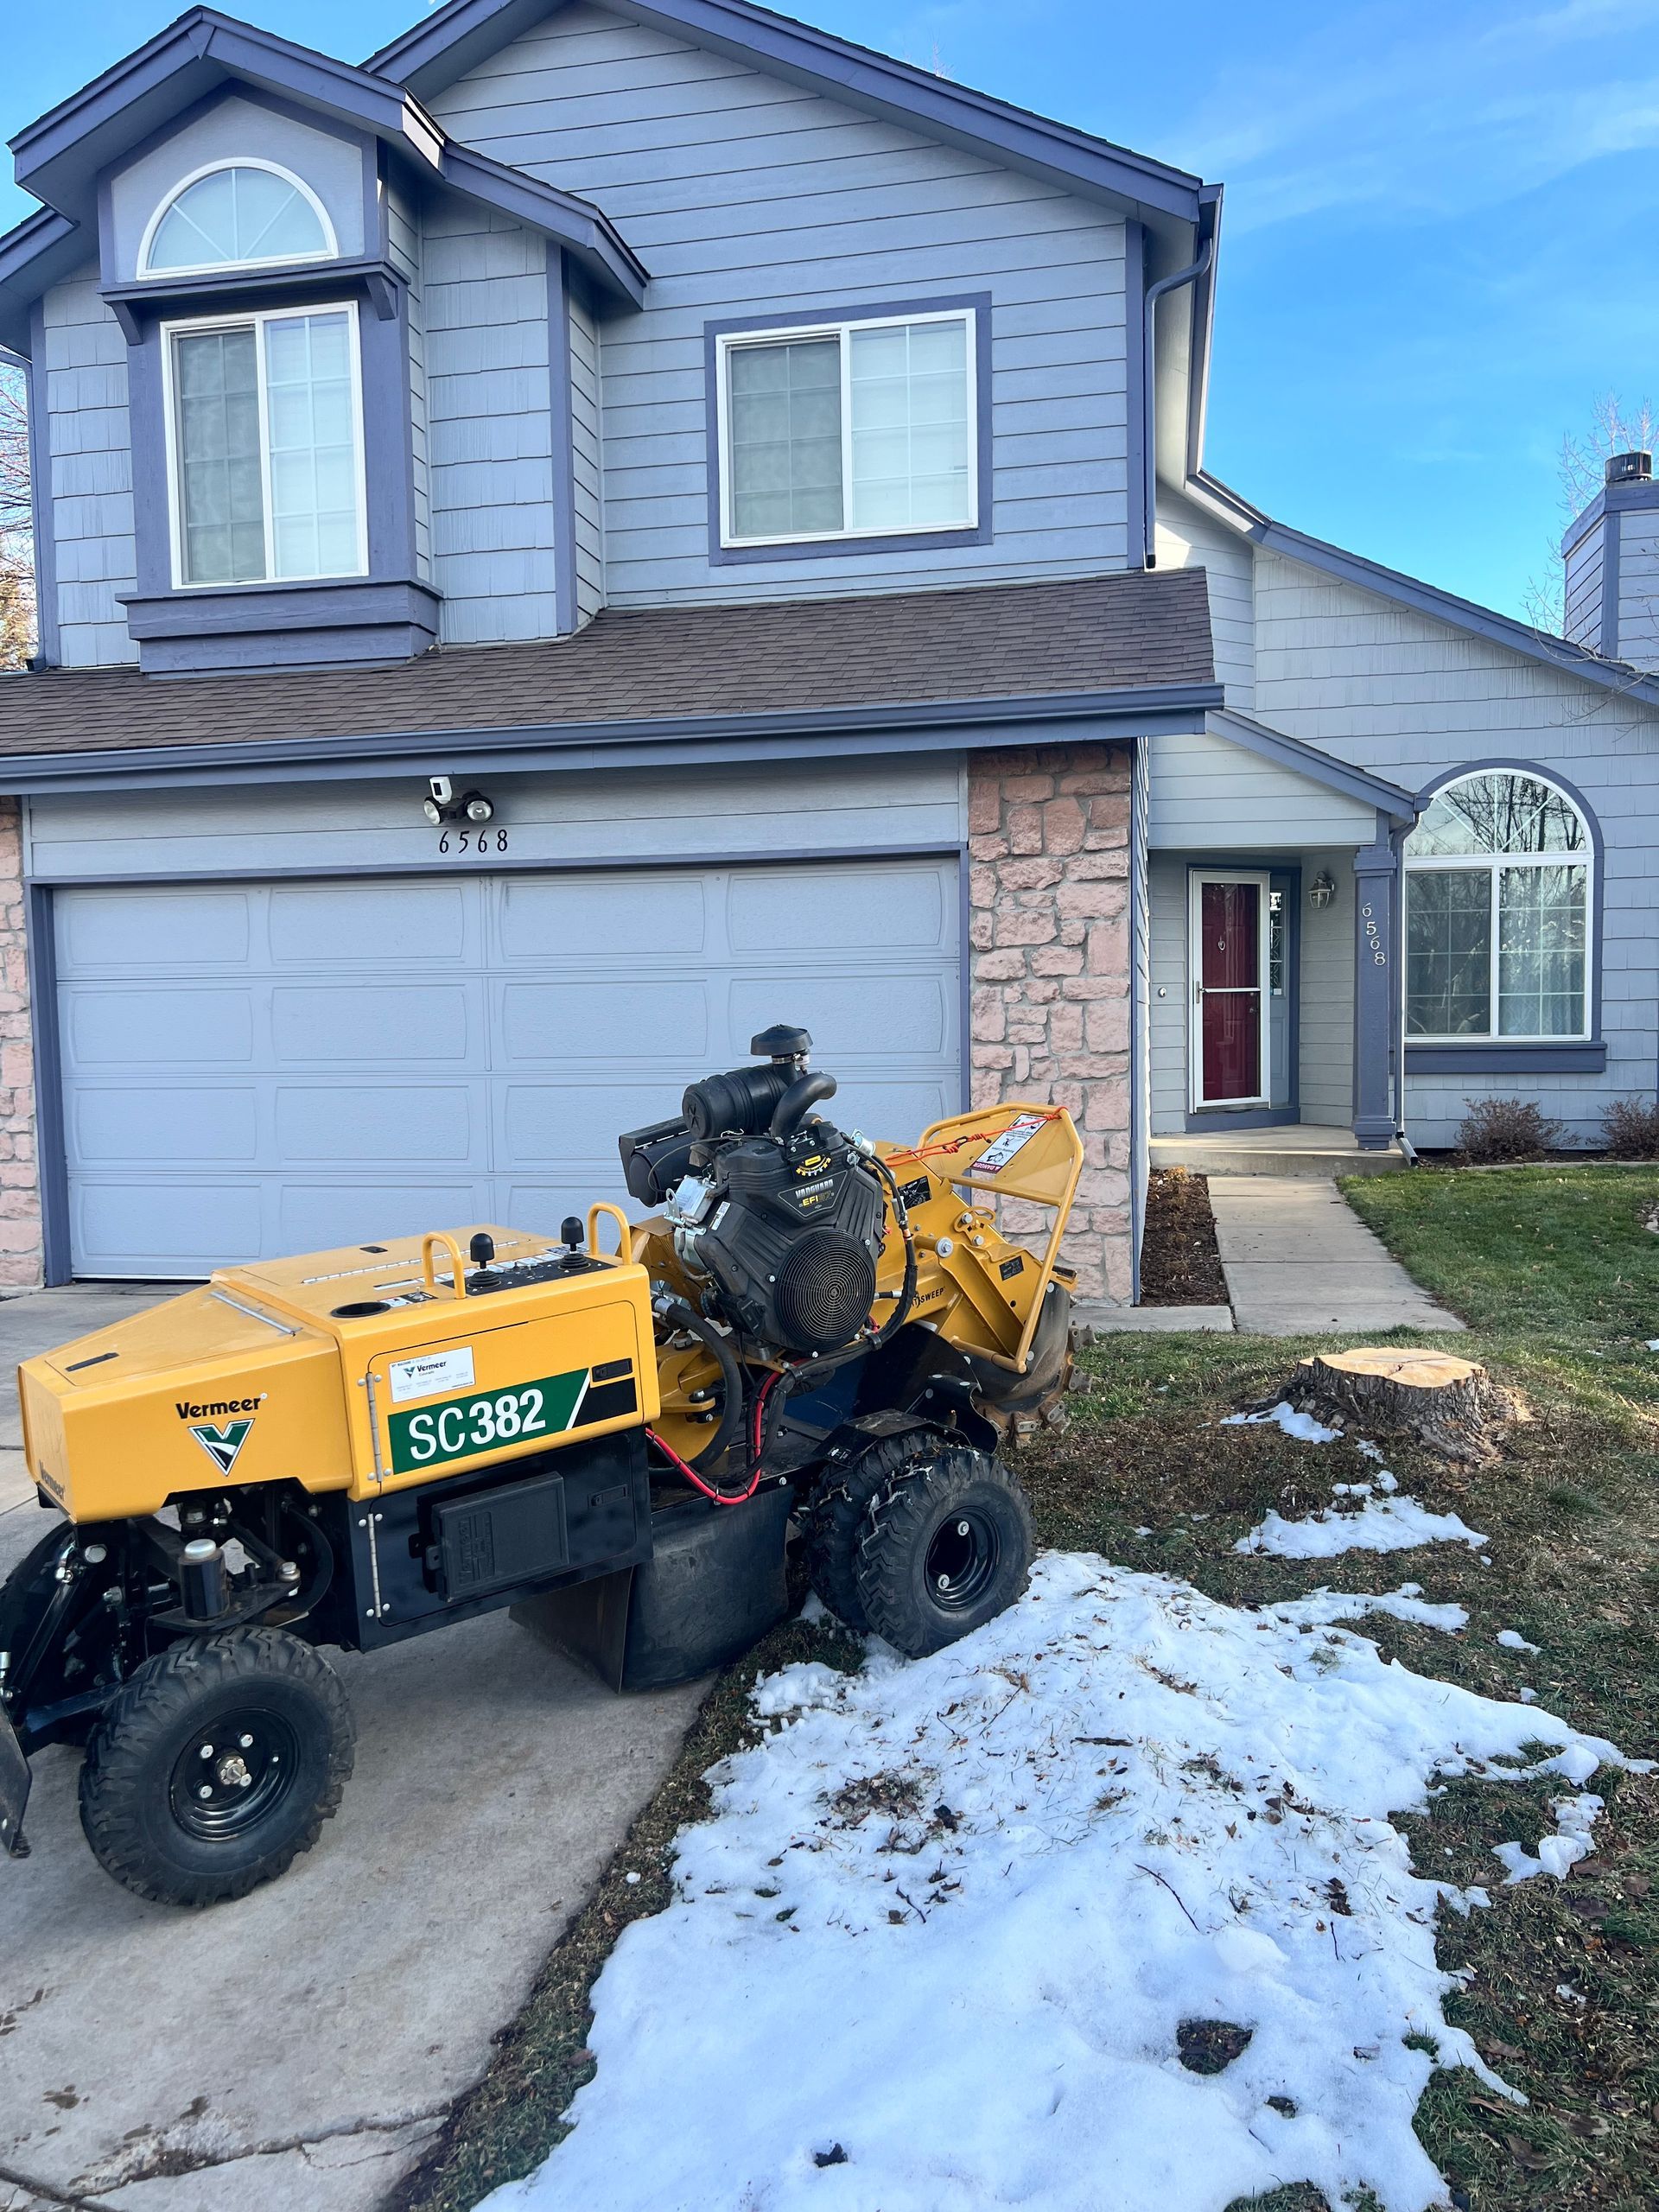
1052 970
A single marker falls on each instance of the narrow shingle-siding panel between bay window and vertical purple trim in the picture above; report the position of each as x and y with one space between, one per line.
490 426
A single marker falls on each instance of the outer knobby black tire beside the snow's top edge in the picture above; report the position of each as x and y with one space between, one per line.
908 1514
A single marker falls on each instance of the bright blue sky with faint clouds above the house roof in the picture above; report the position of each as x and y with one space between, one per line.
1439 240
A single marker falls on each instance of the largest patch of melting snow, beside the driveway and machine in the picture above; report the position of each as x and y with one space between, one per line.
941 1937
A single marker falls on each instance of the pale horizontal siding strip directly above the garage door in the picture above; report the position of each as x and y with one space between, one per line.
667 815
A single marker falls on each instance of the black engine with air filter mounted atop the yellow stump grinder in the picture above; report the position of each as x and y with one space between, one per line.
773 1209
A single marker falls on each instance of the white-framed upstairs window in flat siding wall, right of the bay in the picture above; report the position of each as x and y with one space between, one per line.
848 430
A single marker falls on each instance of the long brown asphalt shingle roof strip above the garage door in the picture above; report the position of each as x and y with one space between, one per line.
793 656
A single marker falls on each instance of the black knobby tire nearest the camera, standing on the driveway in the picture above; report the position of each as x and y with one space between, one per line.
125 1786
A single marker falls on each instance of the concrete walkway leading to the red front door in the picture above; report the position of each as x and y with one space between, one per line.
1300 1262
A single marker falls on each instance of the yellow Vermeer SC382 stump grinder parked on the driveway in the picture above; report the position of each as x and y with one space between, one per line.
609 1434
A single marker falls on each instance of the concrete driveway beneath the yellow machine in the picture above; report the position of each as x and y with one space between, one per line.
298 2049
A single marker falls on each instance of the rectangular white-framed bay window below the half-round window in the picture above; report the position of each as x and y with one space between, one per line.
267 448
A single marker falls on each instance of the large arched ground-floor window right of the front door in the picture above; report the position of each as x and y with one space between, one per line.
1499 912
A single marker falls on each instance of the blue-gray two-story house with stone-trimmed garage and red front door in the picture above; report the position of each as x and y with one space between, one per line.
751 492
